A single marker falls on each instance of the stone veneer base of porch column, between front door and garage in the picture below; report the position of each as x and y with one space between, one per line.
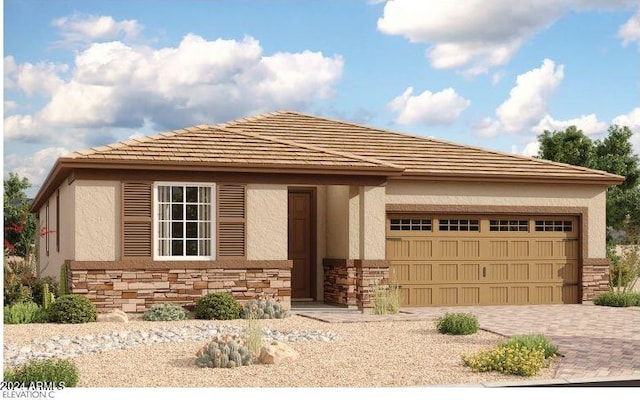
348 282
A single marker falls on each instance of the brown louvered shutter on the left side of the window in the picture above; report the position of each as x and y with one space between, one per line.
136 220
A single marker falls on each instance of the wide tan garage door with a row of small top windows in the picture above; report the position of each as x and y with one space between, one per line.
442 260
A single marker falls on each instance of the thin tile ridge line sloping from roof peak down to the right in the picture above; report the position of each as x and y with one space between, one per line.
458 145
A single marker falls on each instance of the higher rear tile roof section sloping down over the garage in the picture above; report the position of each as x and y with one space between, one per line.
419 156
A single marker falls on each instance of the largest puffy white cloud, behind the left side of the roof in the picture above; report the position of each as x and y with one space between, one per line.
115 85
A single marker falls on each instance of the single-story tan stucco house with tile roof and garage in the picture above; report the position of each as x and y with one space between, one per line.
310 208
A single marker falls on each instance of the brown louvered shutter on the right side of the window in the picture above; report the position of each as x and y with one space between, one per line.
231 206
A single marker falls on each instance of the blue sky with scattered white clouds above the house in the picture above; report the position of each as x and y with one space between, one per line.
493 74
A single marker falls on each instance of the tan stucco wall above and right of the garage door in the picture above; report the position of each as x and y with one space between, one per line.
511 194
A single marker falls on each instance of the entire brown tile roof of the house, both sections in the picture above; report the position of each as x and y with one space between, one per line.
292 140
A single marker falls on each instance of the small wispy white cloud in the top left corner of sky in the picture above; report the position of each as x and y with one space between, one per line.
81 28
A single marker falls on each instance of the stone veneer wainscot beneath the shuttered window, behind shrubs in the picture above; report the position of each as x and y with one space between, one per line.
136 289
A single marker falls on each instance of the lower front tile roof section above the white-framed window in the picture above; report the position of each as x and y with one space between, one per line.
217 146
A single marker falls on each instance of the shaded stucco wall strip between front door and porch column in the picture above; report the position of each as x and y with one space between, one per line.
337 216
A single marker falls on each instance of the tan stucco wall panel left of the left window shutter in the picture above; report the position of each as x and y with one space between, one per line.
97 220
